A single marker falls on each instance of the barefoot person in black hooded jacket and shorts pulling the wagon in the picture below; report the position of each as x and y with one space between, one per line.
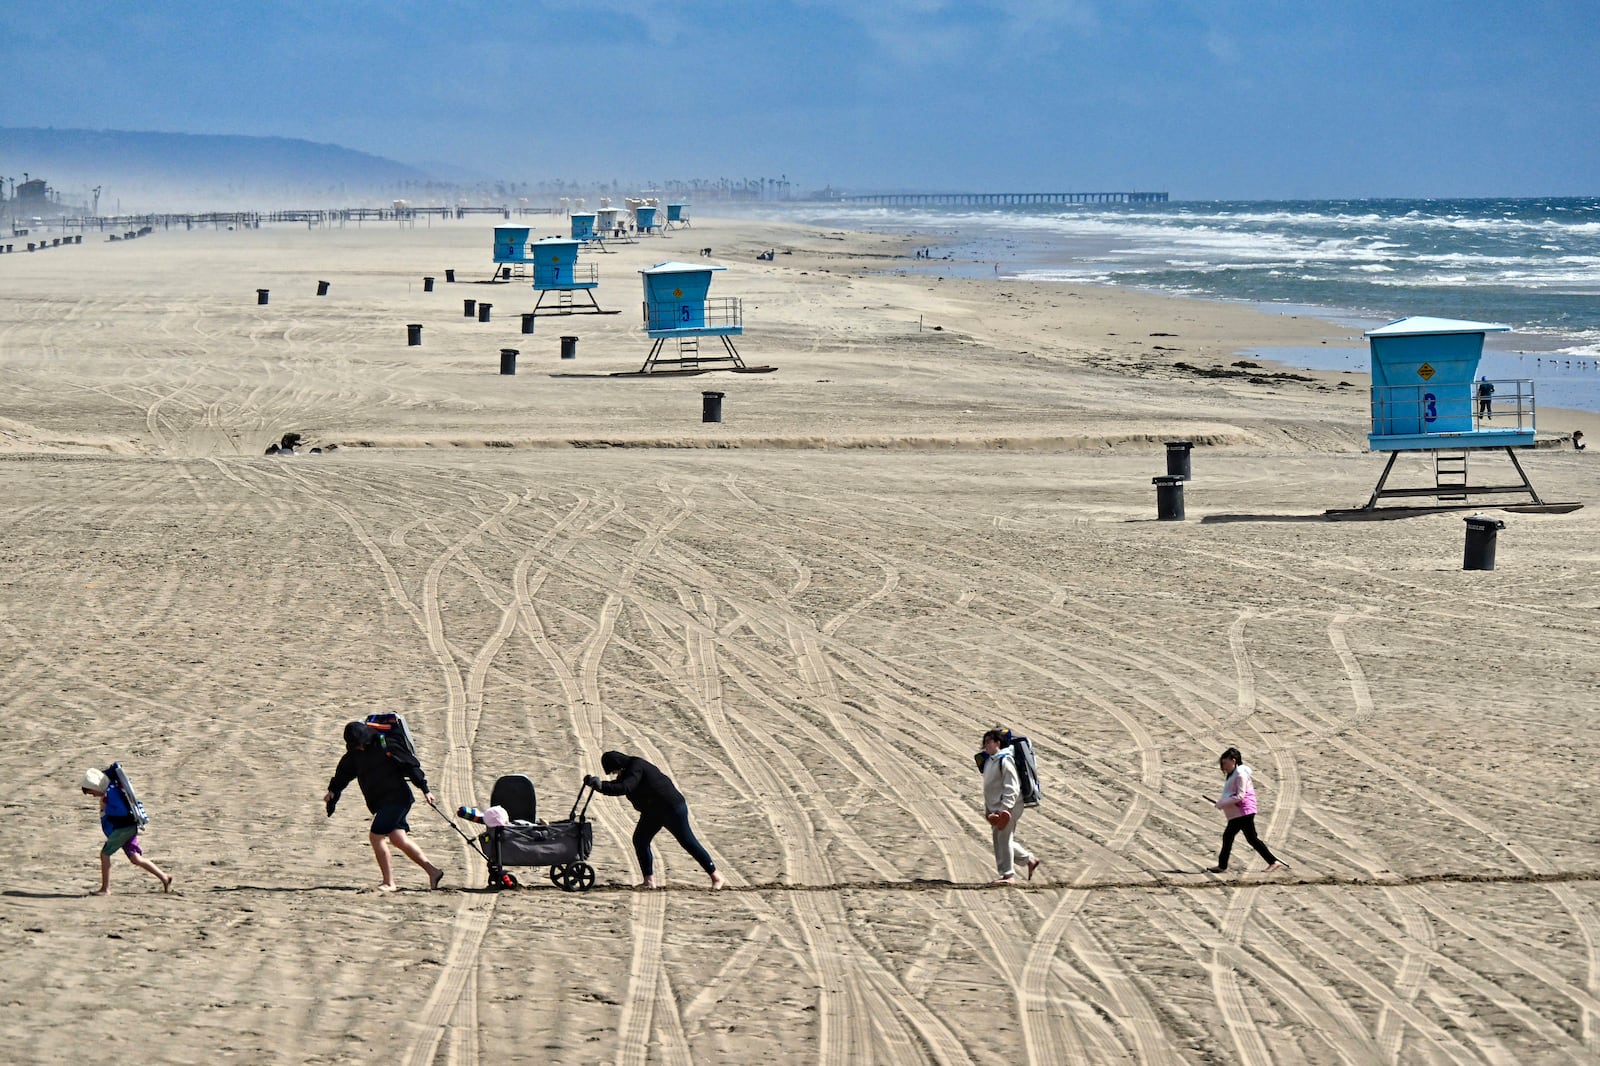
386 772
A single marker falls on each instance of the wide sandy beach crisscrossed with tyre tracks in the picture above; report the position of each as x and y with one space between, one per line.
934 518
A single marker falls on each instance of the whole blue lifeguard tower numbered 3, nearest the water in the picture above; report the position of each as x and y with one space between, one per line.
1428 398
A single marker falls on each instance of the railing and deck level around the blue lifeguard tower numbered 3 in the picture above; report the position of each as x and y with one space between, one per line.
1420 417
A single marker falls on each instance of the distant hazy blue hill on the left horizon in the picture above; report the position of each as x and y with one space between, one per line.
153 172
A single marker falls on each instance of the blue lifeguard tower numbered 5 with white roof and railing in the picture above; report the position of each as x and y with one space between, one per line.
679 308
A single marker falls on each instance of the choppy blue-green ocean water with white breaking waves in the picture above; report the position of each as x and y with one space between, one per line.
1527 263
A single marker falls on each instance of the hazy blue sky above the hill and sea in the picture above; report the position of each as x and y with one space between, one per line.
1201 98
